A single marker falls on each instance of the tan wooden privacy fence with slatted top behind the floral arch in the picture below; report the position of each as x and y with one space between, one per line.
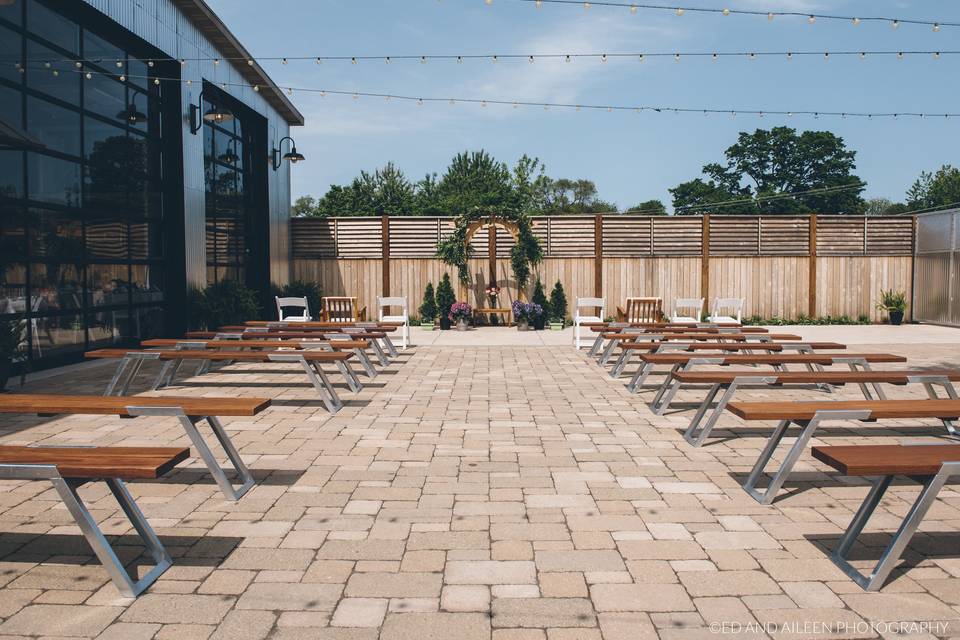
782 266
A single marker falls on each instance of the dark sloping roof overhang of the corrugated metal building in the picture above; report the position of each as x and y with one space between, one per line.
213 28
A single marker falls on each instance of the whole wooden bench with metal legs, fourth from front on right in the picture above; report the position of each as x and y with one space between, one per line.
779 361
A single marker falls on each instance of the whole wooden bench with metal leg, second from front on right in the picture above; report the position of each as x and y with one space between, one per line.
809 415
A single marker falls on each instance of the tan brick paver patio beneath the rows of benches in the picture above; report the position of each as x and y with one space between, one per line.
473 492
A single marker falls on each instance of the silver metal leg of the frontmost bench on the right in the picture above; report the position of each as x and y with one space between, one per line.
891 555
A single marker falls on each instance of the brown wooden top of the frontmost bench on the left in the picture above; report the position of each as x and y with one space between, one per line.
126 463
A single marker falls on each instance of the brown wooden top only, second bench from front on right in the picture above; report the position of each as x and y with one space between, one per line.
905 409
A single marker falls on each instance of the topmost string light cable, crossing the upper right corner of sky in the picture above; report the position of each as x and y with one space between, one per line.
770 15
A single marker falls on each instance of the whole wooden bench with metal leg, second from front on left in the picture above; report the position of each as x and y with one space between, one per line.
189 411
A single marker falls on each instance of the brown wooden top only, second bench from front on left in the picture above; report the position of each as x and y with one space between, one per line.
44 403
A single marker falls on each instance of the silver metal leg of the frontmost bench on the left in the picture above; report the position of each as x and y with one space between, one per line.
101 547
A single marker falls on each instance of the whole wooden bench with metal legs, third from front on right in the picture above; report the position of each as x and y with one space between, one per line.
728 382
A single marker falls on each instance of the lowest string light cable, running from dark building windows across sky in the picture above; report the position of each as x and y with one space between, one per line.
547 106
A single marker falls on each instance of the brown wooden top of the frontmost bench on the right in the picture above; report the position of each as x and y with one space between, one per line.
888 459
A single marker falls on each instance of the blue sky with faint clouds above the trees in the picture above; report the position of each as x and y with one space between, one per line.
631 157
